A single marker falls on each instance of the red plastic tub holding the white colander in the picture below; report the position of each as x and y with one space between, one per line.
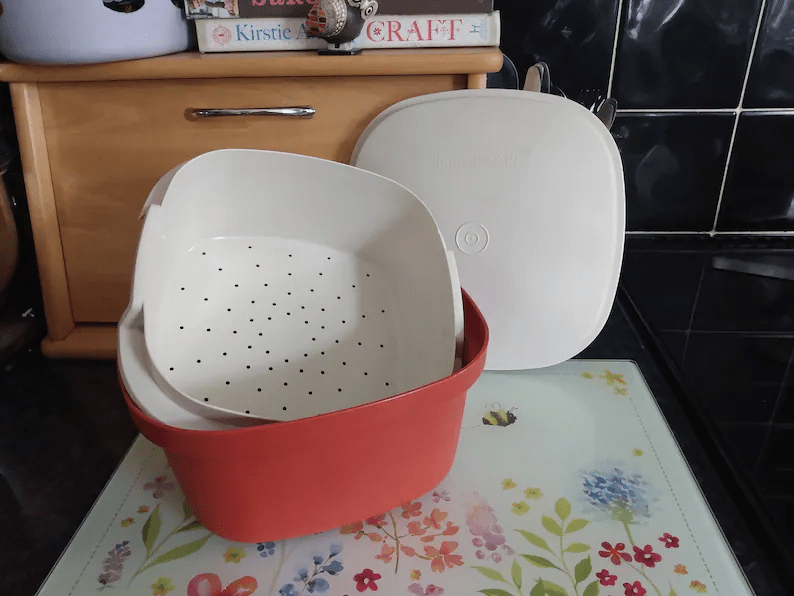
294 478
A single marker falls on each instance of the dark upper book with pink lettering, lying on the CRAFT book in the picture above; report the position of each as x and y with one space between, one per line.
257 9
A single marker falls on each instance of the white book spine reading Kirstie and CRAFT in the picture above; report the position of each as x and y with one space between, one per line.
380 31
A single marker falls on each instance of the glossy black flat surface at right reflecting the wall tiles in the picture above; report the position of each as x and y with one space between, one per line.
724 310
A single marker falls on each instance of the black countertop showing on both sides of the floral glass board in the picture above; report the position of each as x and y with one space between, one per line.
64 429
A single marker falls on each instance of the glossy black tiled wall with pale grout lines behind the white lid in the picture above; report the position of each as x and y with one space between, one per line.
705 95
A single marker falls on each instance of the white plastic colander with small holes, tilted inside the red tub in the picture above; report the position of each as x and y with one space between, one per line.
277 286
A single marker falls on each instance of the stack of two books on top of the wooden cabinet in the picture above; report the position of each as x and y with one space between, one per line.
269 25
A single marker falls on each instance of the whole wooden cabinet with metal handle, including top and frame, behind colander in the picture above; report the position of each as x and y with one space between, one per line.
95 139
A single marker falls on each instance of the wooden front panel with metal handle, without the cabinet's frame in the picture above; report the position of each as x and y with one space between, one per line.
110 142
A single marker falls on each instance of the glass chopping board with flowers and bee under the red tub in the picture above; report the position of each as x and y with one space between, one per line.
567 482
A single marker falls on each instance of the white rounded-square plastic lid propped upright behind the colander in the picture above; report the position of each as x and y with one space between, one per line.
528 190
